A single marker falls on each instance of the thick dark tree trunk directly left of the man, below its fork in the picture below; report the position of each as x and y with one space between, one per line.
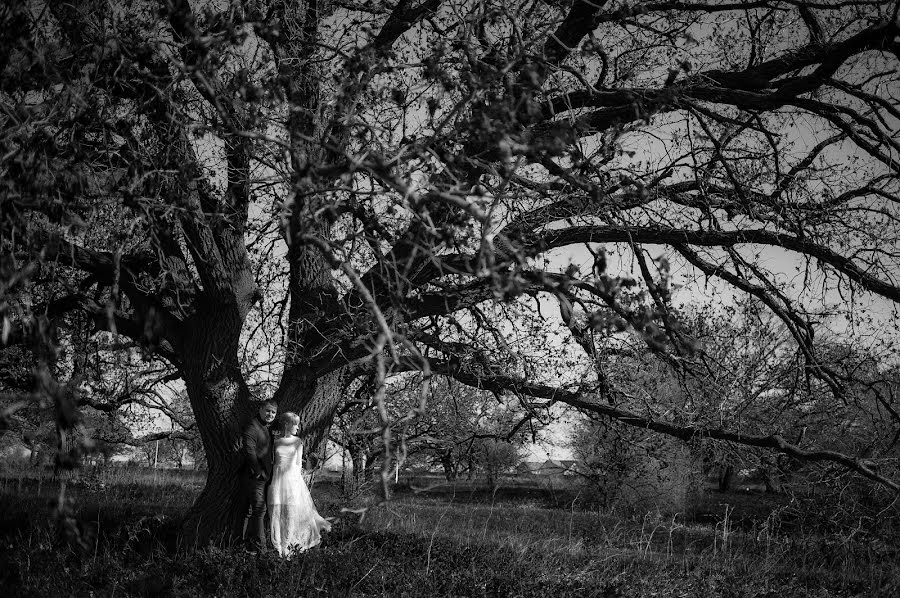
221 404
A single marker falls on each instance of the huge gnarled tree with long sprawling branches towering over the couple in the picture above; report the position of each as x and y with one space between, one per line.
302 193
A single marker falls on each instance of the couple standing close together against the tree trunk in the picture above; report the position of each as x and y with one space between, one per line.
272 475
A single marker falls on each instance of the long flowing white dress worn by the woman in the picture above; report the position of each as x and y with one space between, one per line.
296 525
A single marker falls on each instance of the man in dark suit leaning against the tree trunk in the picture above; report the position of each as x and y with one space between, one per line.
255 473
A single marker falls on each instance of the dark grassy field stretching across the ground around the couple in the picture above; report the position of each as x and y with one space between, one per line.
118 538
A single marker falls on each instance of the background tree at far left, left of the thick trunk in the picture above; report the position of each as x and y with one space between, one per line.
105 380
